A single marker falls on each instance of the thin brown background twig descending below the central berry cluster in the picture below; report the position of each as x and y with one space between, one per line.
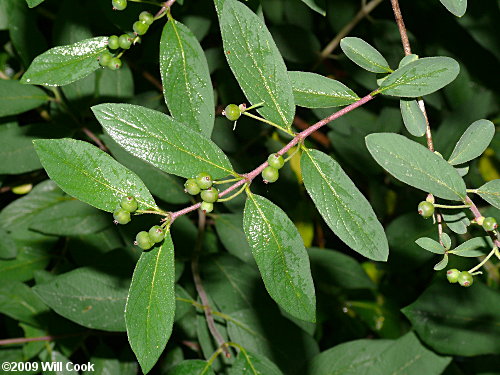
201 290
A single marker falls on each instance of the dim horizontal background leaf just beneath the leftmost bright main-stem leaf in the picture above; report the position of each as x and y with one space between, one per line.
70 218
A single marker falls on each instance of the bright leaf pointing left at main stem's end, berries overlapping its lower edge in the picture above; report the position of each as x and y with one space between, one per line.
90 175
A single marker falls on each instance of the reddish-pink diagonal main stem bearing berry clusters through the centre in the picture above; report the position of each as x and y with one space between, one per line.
248 178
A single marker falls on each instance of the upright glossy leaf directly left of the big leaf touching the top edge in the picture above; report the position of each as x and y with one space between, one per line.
187 87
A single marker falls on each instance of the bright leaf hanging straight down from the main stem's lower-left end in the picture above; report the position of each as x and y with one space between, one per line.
149 313
